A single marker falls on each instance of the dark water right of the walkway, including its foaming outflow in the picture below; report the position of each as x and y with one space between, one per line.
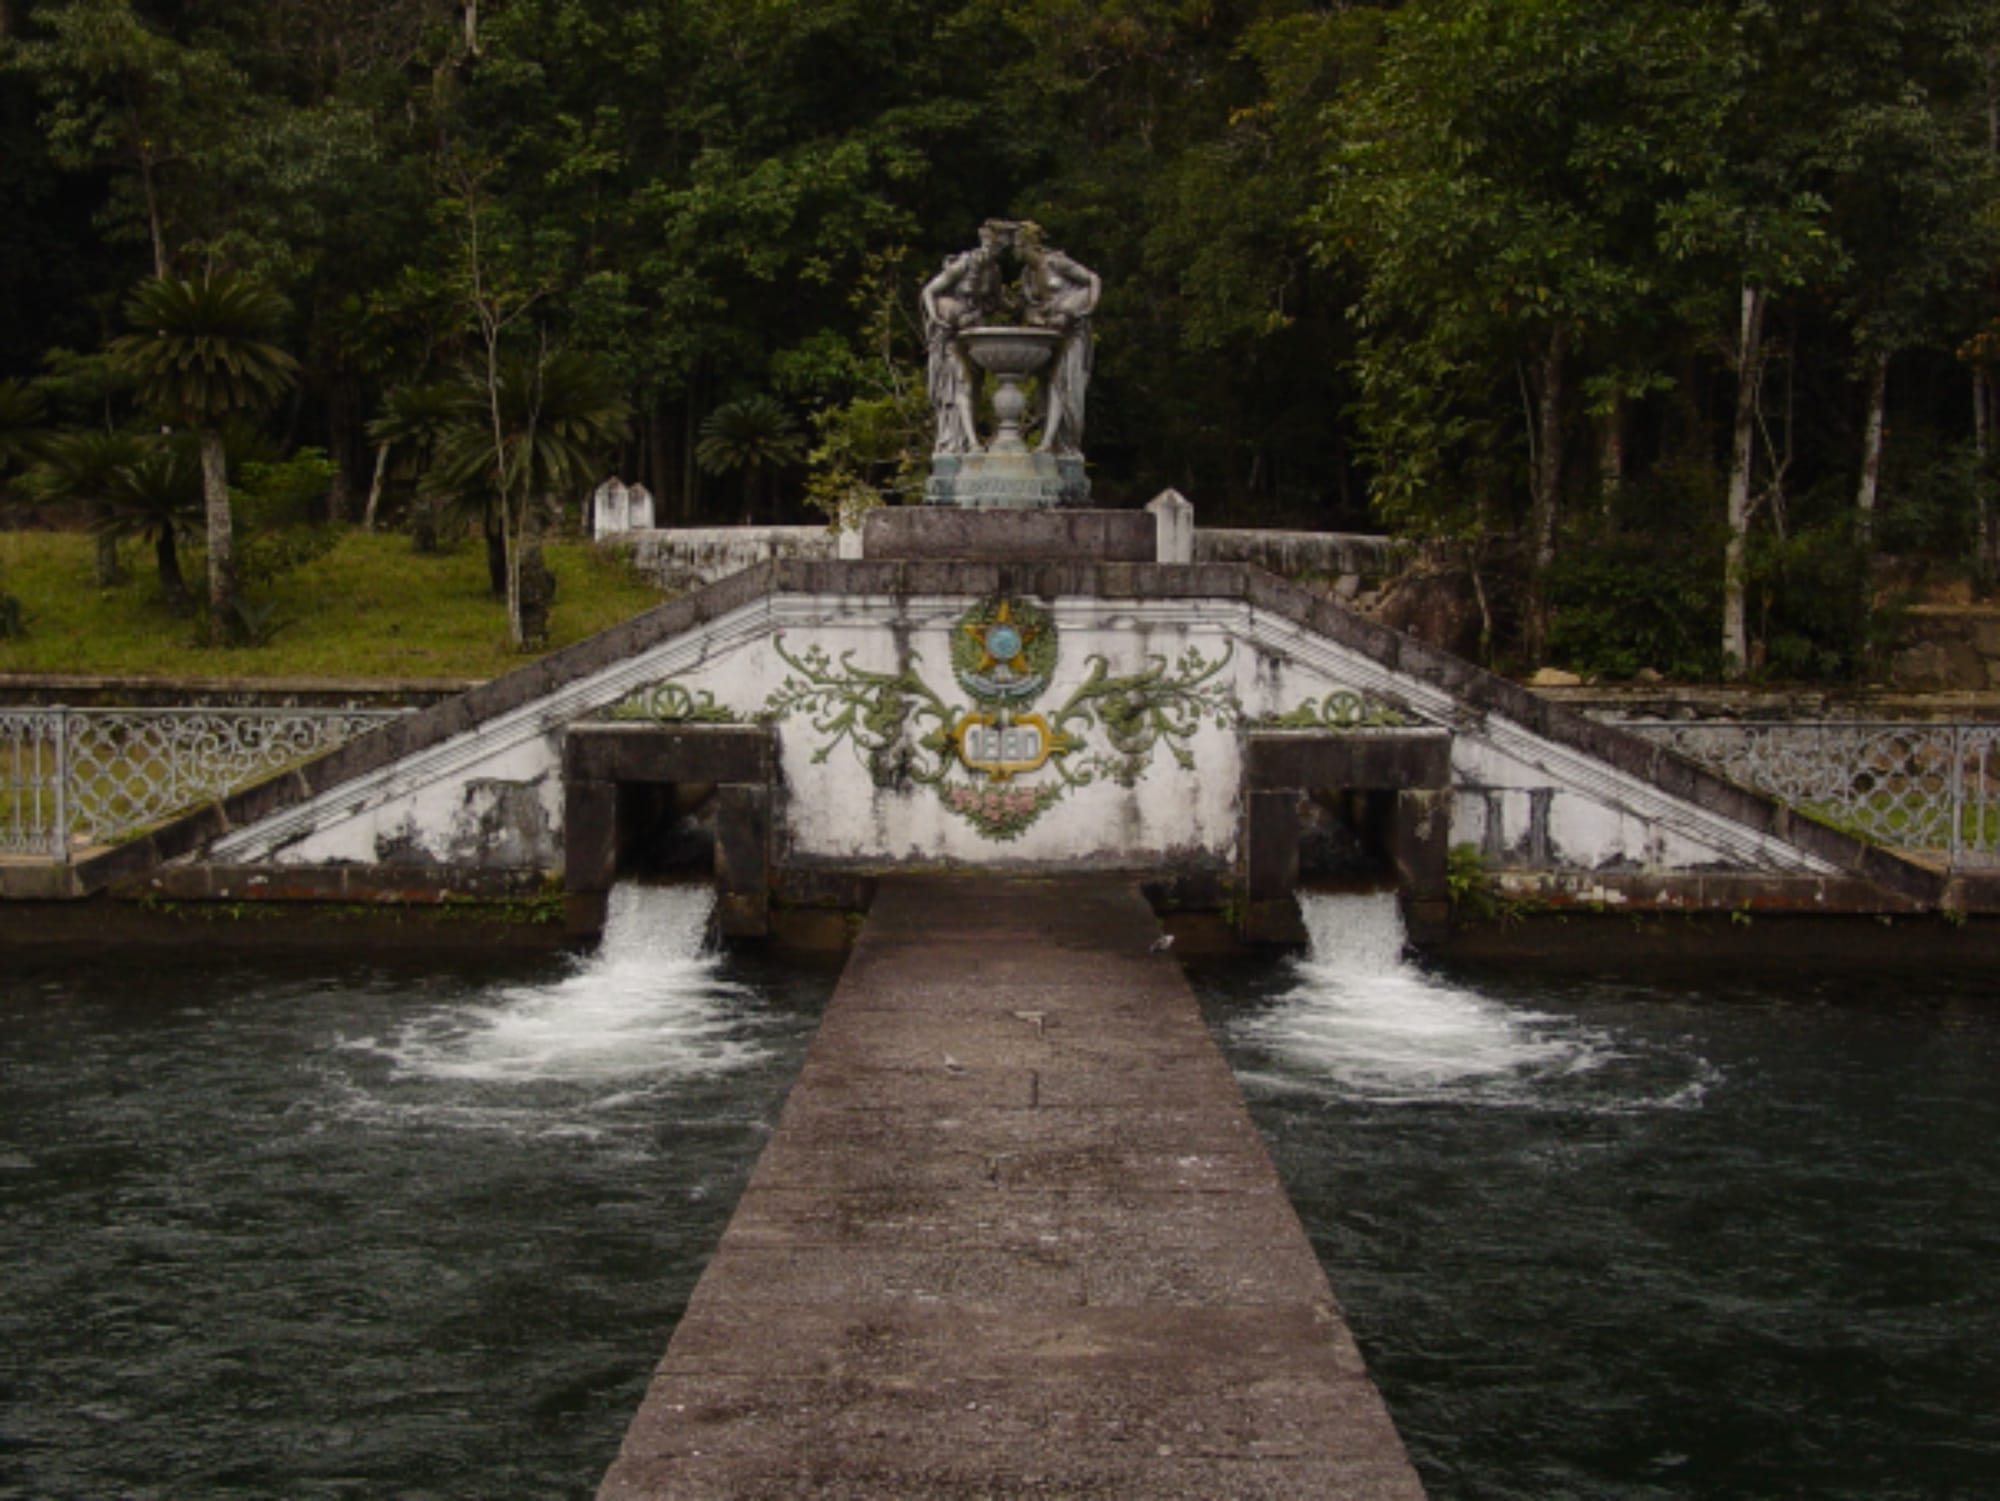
1633 1238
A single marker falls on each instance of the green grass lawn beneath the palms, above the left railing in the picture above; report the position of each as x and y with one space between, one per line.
367 609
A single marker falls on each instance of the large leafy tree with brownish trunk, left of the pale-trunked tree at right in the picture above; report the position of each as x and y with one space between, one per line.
1501 183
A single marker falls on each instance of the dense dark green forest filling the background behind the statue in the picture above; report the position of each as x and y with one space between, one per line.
1671 325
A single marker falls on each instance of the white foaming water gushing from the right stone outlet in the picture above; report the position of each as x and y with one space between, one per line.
1375 1026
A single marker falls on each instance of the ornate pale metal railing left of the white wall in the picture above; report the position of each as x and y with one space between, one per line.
83 778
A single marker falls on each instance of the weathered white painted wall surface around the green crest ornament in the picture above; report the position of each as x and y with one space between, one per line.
441 804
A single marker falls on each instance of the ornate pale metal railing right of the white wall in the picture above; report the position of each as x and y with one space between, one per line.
1927 790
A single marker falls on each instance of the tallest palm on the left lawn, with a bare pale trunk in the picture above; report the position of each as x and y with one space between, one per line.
205 353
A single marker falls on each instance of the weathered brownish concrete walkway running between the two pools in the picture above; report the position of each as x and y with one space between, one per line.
1015 1236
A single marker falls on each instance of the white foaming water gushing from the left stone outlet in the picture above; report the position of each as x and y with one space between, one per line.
649 1006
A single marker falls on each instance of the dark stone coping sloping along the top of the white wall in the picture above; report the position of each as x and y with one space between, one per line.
1477 691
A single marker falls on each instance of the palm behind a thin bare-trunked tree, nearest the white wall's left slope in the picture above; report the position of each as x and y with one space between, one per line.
535 429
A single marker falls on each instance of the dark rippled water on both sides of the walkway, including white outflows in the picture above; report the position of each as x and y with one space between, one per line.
375 1228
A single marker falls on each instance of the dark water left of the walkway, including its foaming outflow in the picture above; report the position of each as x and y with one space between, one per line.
339 1228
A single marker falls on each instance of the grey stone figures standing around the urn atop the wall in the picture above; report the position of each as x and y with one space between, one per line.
1009 275
